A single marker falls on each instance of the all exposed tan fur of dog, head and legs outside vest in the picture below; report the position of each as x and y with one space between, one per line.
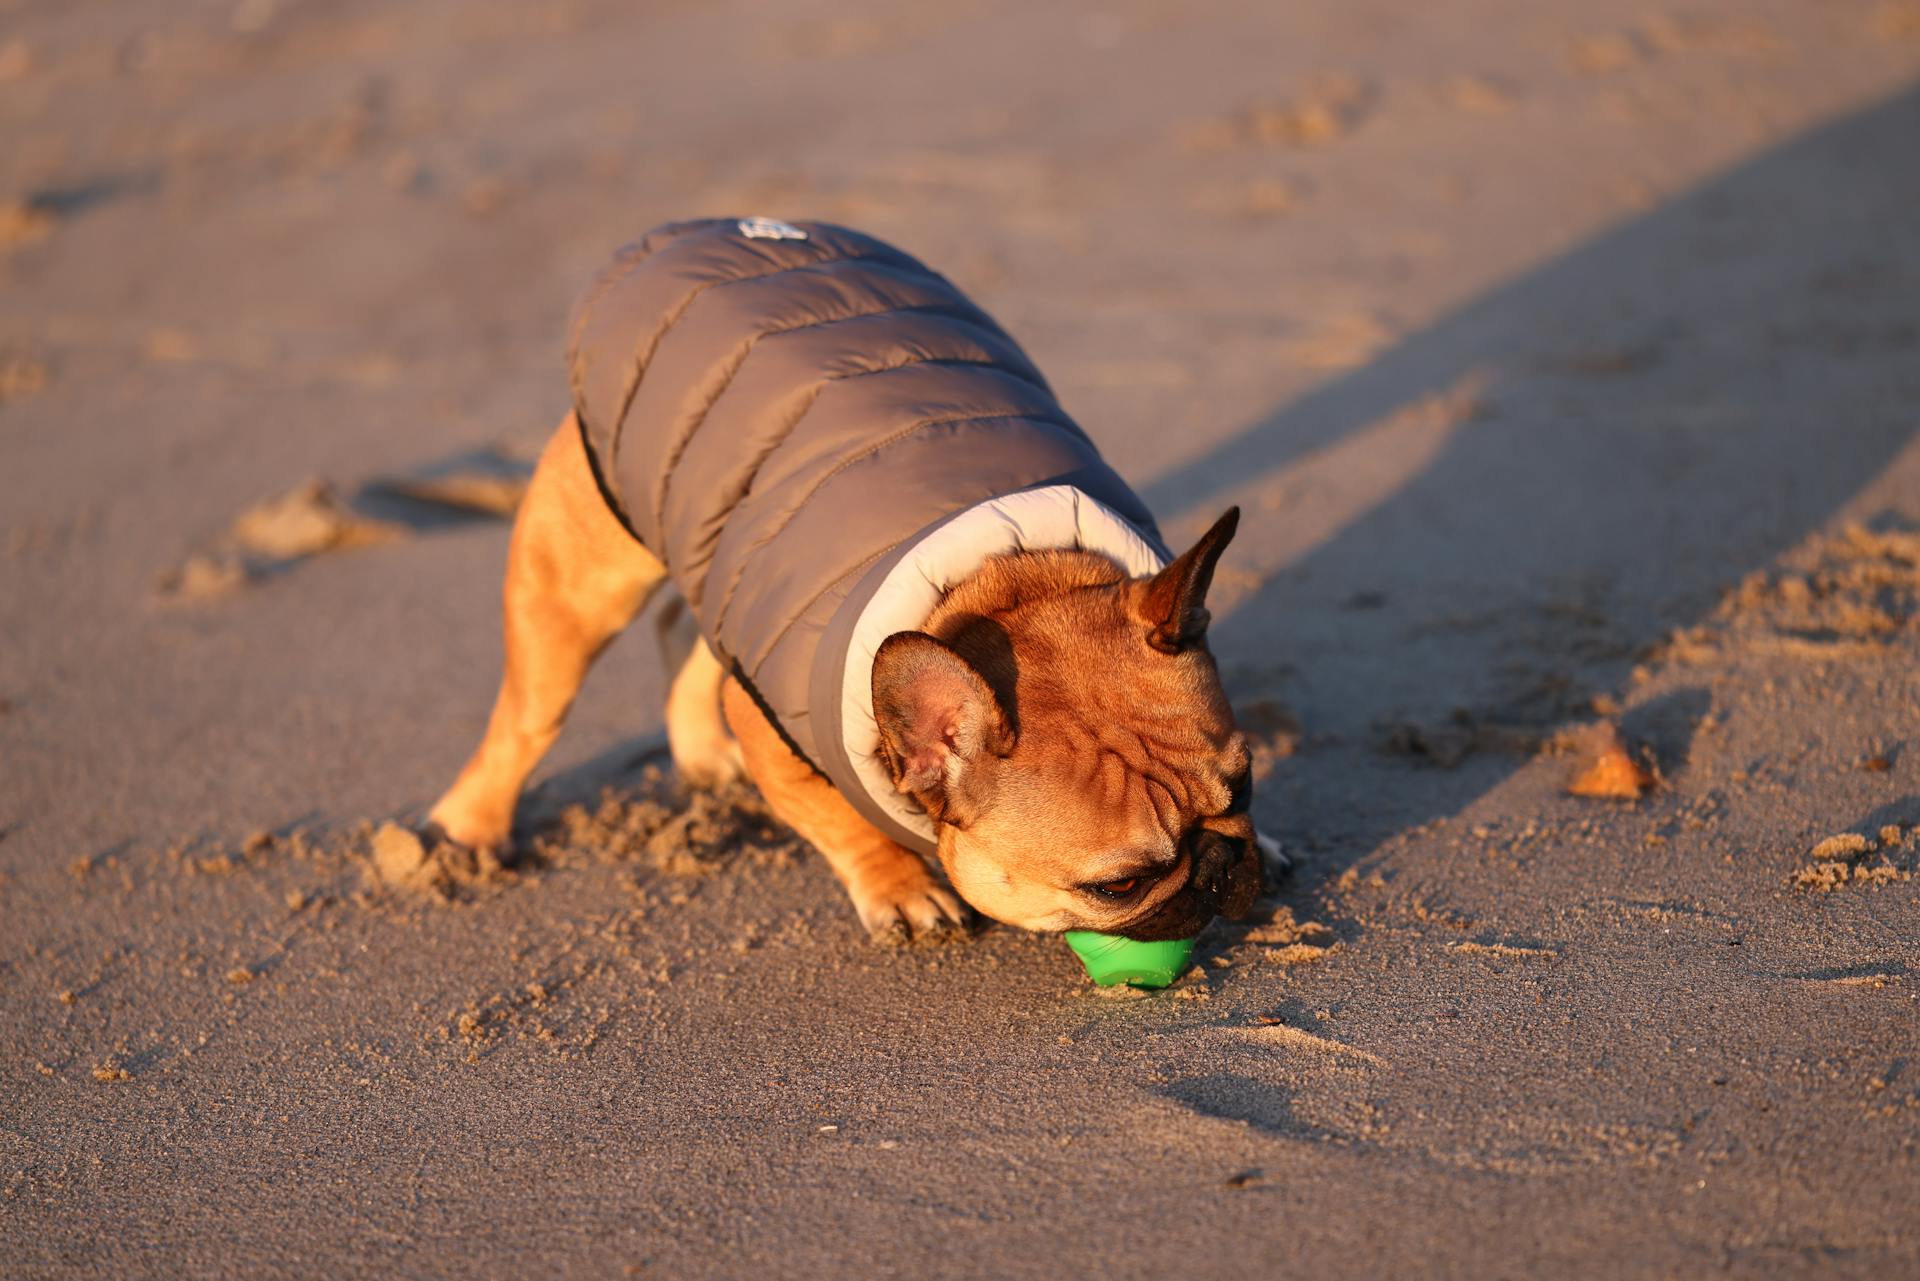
1124 744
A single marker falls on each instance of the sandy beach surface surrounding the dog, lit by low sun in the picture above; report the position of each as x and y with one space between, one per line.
1564 358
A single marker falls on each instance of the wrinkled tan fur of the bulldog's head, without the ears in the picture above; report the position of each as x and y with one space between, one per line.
1120 748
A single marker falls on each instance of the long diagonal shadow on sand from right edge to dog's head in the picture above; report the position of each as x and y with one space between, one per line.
1664 410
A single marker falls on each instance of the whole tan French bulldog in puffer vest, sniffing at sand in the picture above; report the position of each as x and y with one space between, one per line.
1057 725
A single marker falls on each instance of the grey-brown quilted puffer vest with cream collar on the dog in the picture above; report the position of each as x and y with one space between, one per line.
782 414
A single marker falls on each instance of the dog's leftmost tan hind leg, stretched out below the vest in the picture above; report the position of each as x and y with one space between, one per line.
575 579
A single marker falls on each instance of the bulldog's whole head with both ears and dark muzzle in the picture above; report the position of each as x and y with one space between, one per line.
1072 742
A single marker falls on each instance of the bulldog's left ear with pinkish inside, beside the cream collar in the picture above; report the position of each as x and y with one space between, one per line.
936 715
